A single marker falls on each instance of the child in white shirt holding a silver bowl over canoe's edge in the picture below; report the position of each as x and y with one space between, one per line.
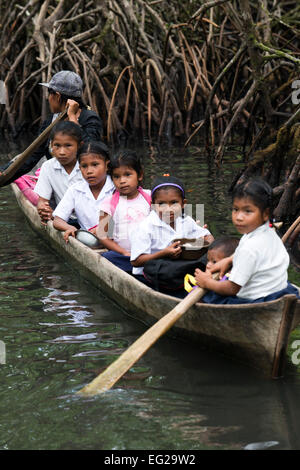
85 197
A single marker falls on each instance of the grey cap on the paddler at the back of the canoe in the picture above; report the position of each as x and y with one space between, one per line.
66 82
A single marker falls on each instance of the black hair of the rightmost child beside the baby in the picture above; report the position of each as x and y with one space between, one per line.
258 190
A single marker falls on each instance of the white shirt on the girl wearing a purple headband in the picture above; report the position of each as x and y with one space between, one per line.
154 234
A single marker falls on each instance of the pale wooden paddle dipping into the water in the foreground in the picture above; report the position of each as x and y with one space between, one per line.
114 372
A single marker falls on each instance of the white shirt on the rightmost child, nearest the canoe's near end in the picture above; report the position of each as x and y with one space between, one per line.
260 263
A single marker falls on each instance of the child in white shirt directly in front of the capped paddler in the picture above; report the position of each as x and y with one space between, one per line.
60 172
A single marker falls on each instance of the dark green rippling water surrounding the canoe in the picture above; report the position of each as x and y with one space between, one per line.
60 332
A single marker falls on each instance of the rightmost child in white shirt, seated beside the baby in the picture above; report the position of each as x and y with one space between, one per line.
260 262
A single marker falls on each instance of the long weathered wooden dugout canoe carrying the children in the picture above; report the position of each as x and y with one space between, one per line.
255 334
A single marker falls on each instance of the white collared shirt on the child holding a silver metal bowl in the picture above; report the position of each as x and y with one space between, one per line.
79 198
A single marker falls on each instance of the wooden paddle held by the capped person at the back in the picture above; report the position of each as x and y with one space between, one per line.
18 161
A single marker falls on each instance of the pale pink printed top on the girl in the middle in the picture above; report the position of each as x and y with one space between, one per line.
128 214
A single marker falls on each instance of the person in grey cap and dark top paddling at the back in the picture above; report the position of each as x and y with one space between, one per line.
64 88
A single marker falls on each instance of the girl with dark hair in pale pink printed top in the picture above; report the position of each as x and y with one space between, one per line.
127 207
